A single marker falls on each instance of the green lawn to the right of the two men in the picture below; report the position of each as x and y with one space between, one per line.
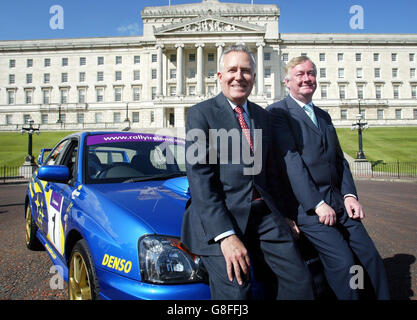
389 144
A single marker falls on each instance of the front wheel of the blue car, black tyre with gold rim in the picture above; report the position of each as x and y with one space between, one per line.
82 278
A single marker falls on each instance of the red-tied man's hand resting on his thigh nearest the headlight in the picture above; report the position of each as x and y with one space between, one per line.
237 258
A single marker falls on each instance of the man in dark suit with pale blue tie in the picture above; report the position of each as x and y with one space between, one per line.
329 213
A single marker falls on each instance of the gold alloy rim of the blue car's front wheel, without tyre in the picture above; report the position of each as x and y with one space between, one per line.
79 284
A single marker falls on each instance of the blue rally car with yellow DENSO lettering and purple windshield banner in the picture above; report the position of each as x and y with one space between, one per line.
107 207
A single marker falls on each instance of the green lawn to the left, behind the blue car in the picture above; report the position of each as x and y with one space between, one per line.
14 146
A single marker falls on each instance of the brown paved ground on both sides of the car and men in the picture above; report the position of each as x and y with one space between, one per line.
391 220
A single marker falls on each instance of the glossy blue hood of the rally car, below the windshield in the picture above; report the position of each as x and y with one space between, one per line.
160 204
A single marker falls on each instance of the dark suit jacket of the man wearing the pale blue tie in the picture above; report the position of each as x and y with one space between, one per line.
314 160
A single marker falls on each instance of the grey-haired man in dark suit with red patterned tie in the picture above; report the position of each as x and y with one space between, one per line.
234 219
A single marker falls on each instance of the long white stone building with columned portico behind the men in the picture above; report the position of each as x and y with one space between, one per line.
148 82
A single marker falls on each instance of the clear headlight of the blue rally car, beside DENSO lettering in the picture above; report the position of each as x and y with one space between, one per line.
165 260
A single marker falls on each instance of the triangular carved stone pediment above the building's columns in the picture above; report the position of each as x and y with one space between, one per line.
209 25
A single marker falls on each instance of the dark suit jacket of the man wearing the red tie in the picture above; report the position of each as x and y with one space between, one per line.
221 194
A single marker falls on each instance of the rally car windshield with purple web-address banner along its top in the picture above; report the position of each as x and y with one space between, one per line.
133 157
